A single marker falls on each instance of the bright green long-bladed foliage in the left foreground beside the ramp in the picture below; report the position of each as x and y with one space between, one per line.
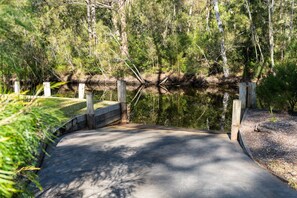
24 125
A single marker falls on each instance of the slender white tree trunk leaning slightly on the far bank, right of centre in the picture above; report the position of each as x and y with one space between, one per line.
223 49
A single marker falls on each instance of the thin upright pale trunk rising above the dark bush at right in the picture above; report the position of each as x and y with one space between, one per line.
271 38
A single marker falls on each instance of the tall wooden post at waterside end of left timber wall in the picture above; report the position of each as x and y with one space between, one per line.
121 86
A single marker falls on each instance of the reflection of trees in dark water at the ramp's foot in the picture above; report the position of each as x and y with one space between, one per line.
190 108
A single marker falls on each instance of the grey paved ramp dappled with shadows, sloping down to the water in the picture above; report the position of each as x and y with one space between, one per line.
135 161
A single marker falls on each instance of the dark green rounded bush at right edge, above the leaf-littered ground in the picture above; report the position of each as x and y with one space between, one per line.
280 91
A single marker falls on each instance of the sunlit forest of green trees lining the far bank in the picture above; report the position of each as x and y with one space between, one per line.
48 39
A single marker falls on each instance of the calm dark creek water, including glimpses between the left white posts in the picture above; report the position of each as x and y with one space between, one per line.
188 108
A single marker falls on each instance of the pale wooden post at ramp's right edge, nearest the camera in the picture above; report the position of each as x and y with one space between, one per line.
235 119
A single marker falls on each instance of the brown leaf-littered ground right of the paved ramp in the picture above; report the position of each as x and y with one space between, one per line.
272 140
